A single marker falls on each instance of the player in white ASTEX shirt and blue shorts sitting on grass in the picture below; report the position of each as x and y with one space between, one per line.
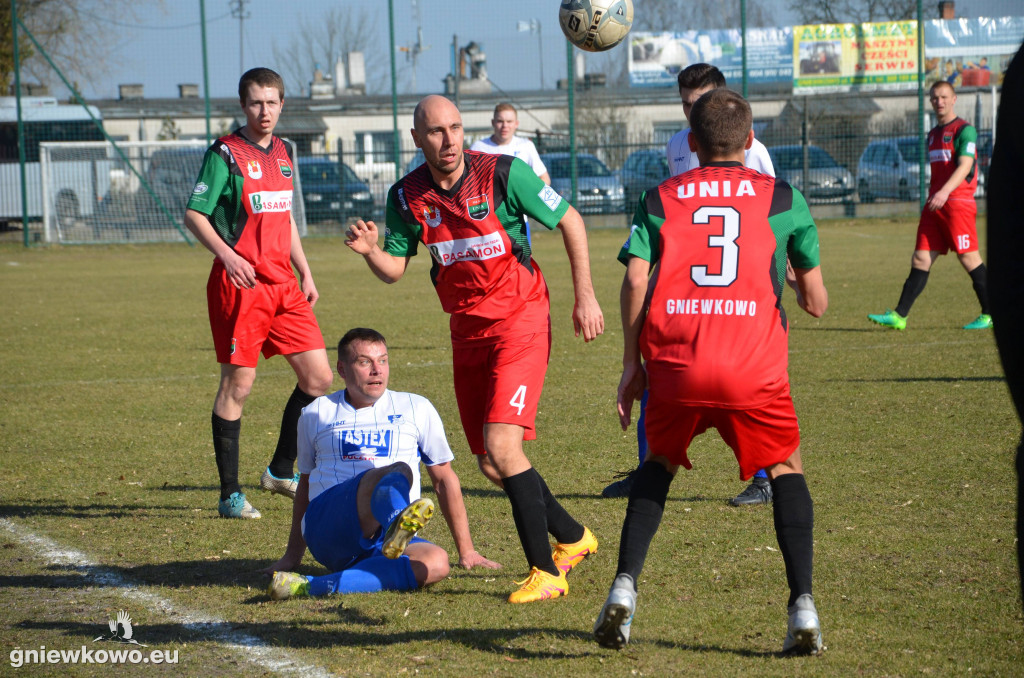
359 455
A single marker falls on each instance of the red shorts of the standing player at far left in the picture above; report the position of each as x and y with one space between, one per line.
273 318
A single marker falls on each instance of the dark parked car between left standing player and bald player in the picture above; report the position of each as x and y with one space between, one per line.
332 192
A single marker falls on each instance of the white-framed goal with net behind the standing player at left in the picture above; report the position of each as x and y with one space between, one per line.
94 194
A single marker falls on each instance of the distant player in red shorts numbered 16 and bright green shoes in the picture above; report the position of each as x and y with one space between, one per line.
948 223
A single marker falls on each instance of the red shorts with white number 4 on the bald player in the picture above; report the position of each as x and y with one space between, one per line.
500 385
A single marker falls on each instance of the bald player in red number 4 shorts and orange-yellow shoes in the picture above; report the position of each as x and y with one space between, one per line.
468 208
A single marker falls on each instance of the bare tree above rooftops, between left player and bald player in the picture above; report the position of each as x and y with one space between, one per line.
324 39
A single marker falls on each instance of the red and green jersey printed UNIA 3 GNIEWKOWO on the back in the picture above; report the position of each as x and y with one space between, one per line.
716 333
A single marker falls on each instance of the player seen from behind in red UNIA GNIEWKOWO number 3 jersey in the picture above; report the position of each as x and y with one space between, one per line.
714 336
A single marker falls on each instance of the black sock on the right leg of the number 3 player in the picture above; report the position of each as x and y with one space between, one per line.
795 530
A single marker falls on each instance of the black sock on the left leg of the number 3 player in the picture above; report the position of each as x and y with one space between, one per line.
644 516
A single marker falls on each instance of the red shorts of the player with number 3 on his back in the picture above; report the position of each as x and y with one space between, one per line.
759 438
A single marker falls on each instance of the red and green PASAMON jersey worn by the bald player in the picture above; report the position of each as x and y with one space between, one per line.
476 233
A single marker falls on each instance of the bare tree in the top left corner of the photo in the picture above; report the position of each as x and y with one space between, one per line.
76 36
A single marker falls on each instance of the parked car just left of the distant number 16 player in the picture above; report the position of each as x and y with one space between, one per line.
891 168
